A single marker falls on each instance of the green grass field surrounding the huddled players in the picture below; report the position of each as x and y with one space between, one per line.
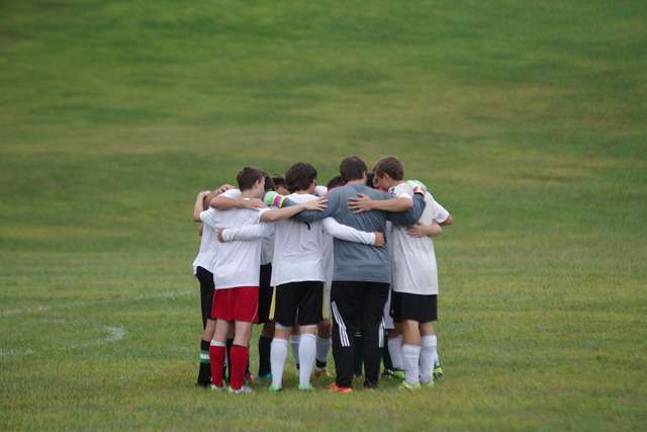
527 119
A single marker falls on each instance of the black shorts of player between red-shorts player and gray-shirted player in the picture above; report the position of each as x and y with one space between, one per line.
299 303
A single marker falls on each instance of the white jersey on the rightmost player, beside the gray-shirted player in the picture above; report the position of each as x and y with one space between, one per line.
414 269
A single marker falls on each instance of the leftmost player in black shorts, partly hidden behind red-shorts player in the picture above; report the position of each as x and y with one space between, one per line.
203 272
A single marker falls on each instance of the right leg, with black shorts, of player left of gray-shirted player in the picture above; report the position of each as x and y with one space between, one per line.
308 316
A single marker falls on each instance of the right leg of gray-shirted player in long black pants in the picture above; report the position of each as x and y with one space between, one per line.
375 296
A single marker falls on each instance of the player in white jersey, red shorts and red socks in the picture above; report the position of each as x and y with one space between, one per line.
236 272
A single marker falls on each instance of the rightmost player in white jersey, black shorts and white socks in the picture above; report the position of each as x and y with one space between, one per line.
415 276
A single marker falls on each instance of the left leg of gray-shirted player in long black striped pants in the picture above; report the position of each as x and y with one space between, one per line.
345 305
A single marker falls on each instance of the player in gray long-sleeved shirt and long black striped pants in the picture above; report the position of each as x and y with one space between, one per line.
362 274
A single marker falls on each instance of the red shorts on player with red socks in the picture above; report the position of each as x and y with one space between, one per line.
235 304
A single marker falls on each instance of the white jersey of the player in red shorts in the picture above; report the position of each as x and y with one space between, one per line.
236 263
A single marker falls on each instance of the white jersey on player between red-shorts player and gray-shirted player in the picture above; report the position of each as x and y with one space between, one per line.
298 249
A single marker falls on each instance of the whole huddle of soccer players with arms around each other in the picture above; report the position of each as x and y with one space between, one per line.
294 257
